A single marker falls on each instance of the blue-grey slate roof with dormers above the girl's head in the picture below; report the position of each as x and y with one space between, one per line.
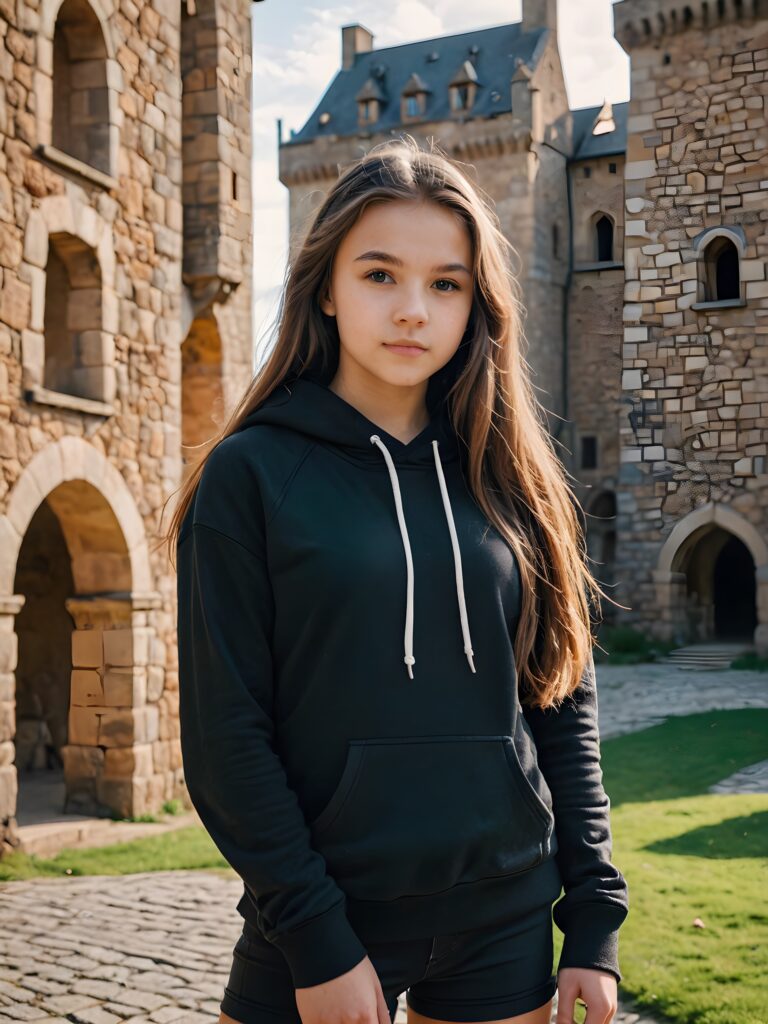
437 62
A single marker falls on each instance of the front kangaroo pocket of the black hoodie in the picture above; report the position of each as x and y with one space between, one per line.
412 817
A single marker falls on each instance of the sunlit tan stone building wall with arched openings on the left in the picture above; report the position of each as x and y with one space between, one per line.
125 220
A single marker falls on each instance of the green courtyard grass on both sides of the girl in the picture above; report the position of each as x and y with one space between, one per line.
687 855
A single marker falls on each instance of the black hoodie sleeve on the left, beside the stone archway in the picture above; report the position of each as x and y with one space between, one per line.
235 779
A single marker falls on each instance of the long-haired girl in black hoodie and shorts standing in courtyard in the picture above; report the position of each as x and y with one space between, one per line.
379 562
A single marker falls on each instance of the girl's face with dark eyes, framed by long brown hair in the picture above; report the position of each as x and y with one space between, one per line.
403 274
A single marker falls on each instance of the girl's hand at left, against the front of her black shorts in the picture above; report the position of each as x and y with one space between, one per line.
355 998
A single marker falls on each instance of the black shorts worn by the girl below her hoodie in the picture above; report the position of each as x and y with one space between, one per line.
485 974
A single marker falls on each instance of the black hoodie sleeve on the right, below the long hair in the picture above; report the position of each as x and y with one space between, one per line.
596 898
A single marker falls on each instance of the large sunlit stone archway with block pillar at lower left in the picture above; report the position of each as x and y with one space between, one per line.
103 670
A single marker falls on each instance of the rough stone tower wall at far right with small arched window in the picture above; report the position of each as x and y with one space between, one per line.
694 489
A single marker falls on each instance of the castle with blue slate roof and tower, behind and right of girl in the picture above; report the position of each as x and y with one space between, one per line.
642 231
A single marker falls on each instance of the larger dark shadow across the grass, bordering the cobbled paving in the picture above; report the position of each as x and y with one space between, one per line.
684 756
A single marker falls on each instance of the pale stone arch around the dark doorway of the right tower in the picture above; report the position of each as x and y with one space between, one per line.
711 527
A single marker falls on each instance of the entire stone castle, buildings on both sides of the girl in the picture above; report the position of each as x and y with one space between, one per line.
125 325
